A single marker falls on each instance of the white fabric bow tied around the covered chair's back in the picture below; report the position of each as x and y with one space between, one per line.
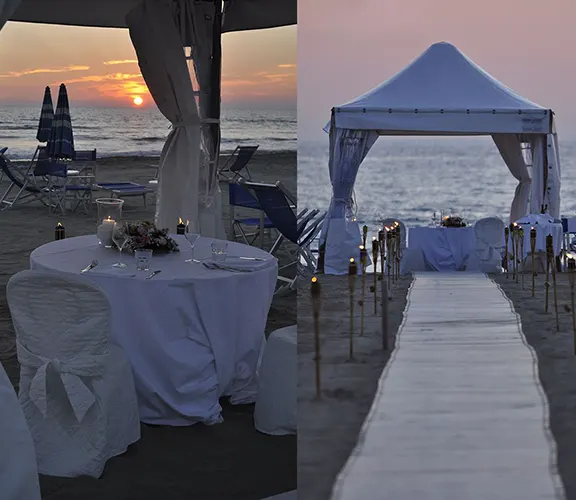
80 396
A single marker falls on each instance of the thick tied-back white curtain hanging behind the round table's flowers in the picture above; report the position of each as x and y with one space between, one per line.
160 52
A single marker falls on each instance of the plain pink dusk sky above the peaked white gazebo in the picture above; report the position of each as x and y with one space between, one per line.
346 48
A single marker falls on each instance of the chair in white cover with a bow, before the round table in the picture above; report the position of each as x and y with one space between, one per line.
76 390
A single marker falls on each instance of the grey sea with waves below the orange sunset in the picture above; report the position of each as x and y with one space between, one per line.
142 131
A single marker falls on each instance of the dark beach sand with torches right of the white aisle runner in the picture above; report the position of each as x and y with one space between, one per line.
556 360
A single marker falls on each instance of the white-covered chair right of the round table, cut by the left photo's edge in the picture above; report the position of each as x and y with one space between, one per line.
275 410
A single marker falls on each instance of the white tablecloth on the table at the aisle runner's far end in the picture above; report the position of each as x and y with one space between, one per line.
444 248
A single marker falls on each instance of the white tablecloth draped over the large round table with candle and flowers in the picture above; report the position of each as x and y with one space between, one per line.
192 334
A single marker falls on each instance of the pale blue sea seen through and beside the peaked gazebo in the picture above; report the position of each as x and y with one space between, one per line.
411 178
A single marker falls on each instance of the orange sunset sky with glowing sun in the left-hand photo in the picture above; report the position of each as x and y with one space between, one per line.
99 66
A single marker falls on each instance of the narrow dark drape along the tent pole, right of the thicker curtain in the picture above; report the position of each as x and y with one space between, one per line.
197 21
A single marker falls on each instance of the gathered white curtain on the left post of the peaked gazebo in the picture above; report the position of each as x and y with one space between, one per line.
341 236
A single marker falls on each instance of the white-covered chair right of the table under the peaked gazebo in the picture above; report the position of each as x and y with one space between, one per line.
489 248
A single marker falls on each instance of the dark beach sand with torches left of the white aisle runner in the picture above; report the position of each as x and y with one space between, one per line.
328 428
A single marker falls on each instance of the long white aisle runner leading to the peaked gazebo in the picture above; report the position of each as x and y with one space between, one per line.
459 413
